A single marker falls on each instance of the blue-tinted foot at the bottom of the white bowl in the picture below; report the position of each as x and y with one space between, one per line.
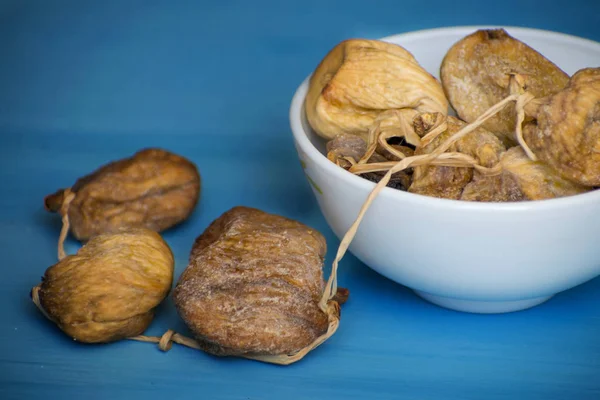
482 307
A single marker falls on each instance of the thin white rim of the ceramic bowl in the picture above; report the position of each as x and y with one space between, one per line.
296 113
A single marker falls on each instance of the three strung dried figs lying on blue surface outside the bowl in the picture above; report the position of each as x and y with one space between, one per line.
253 288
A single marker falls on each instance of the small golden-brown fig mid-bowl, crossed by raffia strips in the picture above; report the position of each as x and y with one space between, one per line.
448 182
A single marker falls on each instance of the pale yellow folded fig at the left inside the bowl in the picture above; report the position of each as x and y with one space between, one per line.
358 79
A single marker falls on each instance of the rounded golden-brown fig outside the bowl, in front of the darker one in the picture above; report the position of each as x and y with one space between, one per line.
109 289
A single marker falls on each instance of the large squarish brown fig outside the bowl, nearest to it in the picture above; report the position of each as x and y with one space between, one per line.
253 285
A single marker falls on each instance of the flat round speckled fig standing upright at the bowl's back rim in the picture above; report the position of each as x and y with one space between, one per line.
476 72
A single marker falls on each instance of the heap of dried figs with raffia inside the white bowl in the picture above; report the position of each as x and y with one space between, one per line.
523 130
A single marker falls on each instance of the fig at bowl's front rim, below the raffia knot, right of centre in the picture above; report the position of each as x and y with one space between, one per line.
521 179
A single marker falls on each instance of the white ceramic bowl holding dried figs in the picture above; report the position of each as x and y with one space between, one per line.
474 257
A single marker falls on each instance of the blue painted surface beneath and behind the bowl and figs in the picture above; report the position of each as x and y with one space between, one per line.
82 83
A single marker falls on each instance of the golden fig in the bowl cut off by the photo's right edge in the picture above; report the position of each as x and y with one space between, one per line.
565 132
